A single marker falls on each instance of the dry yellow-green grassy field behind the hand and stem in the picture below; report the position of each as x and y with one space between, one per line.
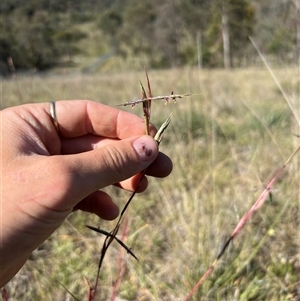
226 142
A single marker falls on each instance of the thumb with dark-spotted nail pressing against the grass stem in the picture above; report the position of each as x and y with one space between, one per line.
110 164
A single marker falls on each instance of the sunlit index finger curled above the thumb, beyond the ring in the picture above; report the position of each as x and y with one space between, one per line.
80 117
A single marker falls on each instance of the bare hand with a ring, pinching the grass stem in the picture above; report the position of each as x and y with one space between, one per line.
46 175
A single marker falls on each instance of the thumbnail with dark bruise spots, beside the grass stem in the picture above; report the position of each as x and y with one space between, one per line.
146 148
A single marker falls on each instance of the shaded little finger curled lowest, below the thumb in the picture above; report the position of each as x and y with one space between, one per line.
99 203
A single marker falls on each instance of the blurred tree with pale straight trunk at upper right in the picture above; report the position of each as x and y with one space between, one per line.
224 25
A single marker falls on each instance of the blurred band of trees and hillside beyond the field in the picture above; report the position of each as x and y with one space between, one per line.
91 35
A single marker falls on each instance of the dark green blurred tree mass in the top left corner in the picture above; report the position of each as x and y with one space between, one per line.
37 34
